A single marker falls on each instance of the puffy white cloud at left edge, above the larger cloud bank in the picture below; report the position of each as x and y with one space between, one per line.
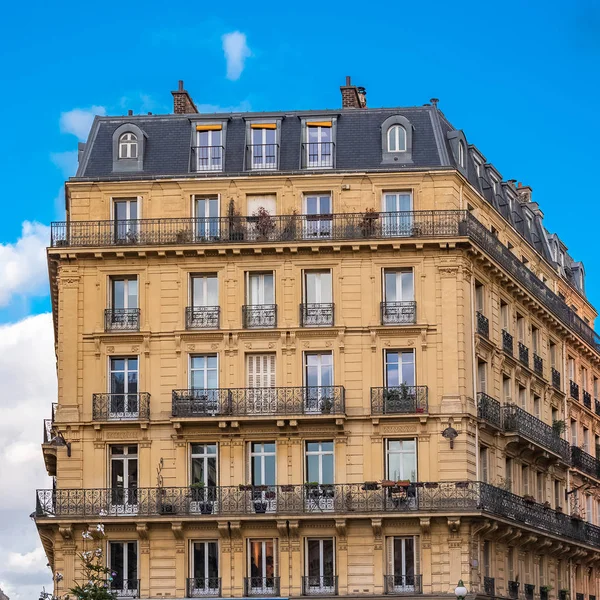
23 269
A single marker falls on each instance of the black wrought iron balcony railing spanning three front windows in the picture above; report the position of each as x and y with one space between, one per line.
242 402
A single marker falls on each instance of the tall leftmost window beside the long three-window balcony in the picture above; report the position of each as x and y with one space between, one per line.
123 388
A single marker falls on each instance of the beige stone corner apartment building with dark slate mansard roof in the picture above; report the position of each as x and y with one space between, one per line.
317 353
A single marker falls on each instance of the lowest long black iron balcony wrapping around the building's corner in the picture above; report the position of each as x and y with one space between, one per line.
307 499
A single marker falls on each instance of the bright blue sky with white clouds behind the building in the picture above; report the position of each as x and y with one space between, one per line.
520 78
